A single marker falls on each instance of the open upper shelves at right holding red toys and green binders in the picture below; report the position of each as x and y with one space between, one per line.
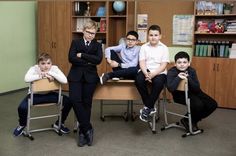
214 30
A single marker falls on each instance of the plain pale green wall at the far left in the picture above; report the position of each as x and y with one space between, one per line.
17 42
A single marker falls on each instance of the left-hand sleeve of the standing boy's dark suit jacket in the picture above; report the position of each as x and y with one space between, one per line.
73 59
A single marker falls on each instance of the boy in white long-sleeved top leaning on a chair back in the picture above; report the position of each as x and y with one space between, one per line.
44 69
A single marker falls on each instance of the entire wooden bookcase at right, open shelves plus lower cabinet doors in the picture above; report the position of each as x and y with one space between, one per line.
216 71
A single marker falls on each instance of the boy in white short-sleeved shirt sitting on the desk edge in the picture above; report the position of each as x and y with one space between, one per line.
153 59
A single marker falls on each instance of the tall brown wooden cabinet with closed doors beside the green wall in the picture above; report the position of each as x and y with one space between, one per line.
54 31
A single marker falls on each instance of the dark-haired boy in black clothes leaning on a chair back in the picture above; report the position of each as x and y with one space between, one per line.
202 105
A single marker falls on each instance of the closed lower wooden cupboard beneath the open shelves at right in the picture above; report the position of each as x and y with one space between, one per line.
217 78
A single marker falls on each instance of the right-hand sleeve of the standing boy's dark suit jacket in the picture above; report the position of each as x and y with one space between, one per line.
93 58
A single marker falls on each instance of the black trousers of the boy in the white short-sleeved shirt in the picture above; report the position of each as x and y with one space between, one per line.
149 97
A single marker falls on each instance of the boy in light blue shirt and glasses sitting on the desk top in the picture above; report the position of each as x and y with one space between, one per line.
123 59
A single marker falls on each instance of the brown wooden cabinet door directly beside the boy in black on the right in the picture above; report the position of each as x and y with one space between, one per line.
205 68
